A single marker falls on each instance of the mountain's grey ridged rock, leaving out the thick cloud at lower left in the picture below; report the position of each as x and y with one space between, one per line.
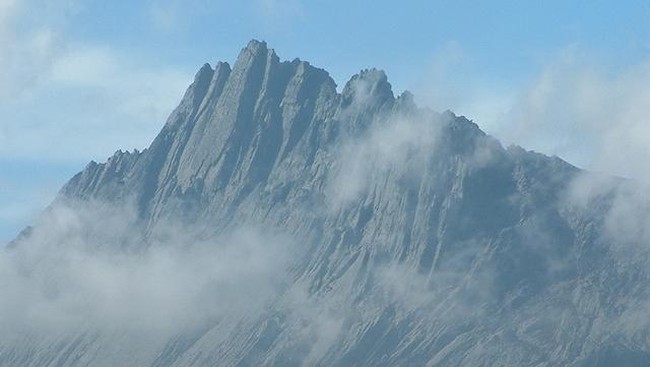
423 239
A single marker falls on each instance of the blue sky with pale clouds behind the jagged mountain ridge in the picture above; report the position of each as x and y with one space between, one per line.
80 79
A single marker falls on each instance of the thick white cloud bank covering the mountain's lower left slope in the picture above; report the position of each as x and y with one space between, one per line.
86 268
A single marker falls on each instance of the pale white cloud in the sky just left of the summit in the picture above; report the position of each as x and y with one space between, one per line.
92 101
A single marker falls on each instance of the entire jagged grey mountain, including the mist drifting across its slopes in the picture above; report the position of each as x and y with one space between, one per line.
277 222
